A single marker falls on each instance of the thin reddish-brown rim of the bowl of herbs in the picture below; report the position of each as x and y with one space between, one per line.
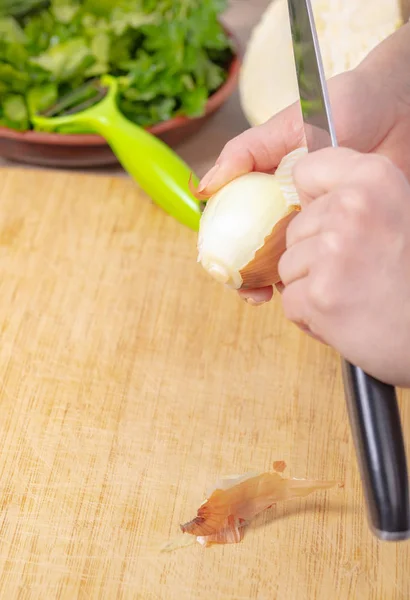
65 139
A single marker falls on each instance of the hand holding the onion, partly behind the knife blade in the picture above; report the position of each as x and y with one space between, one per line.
371 110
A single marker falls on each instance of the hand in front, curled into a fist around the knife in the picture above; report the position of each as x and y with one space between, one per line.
346 270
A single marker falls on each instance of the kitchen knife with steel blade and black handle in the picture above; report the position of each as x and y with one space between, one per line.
372 405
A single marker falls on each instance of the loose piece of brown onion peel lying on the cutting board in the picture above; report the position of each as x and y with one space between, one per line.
222 518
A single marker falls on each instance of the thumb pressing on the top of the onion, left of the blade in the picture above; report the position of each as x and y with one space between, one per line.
258 149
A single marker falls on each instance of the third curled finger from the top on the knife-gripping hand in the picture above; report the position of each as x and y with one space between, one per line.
299 259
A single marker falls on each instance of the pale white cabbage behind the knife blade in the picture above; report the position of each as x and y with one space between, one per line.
347 29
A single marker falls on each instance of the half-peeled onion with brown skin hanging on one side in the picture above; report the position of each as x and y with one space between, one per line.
242 232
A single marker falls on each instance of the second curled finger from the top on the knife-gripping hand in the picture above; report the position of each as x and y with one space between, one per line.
312 220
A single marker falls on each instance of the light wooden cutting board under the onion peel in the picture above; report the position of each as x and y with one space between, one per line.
130 383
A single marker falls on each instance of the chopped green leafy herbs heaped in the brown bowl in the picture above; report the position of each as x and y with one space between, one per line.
169 55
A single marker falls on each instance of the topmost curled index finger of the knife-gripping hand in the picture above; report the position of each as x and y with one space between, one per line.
320 172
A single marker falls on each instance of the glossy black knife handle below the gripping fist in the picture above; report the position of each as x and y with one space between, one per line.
376 426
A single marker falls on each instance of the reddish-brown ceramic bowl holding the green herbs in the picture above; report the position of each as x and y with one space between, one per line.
82 151
